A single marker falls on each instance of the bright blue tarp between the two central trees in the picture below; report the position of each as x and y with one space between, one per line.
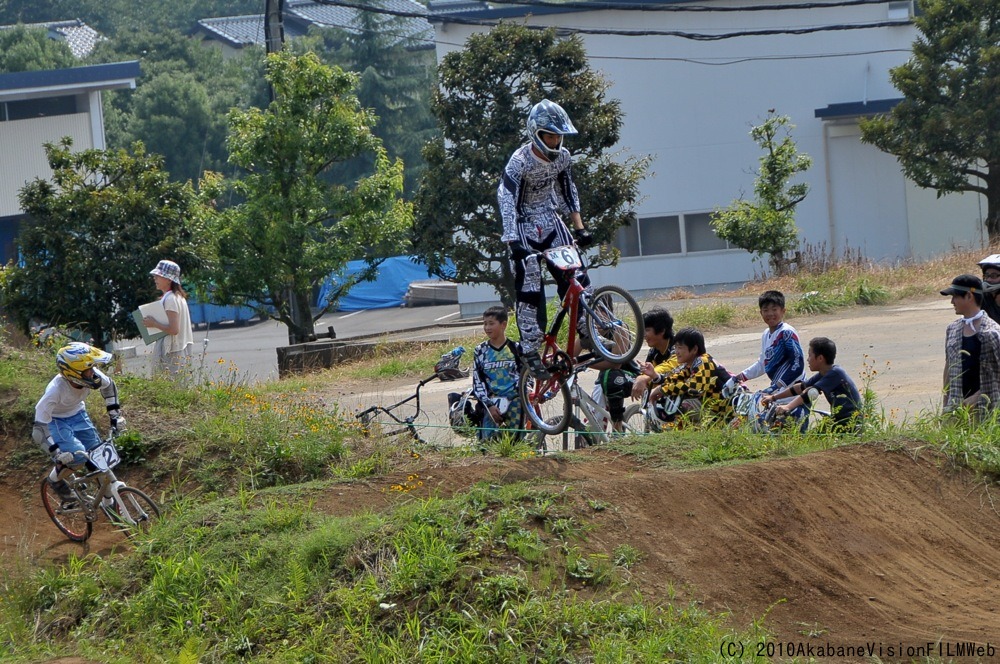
387 290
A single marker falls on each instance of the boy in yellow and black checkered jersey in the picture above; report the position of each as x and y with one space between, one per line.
698 379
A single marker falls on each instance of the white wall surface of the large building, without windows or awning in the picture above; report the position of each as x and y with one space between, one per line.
690 104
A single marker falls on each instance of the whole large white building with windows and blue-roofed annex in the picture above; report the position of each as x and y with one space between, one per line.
692 78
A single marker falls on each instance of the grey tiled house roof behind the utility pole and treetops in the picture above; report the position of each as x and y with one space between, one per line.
233 33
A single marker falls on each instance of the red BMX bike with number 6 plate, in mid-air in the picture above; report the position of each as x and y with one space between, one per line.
614 326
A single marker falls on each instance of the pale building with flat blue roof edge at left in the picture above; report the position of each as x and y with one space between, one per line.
38 107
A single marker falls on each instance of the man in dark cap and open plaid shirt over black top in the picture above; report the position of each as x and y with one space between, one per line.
972 351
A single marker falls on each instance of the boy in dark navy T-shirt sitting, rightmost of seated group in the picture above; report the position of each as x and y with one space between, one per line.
832 381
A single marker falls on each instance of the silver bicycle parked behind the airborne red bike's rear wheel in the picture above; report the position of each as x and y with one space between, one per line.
589 423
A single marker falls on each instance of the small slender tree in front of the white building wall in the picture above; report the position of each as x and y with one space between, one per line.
766 225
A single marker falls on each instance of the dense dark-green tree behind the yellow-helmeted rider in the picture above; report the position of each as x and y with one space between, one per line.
93 232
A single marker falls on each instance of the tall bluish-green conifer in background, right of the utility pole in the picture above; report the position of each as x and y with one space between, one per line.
396 78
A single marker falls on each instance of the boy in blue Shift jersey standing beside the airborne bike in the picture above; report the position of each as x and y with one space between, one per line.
496 370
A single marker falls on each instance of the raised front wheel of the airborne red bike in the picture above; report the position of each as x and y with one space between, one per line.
616 328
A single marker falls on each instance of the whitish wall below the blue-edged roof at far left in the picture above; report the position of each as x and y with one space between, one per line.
22 152
